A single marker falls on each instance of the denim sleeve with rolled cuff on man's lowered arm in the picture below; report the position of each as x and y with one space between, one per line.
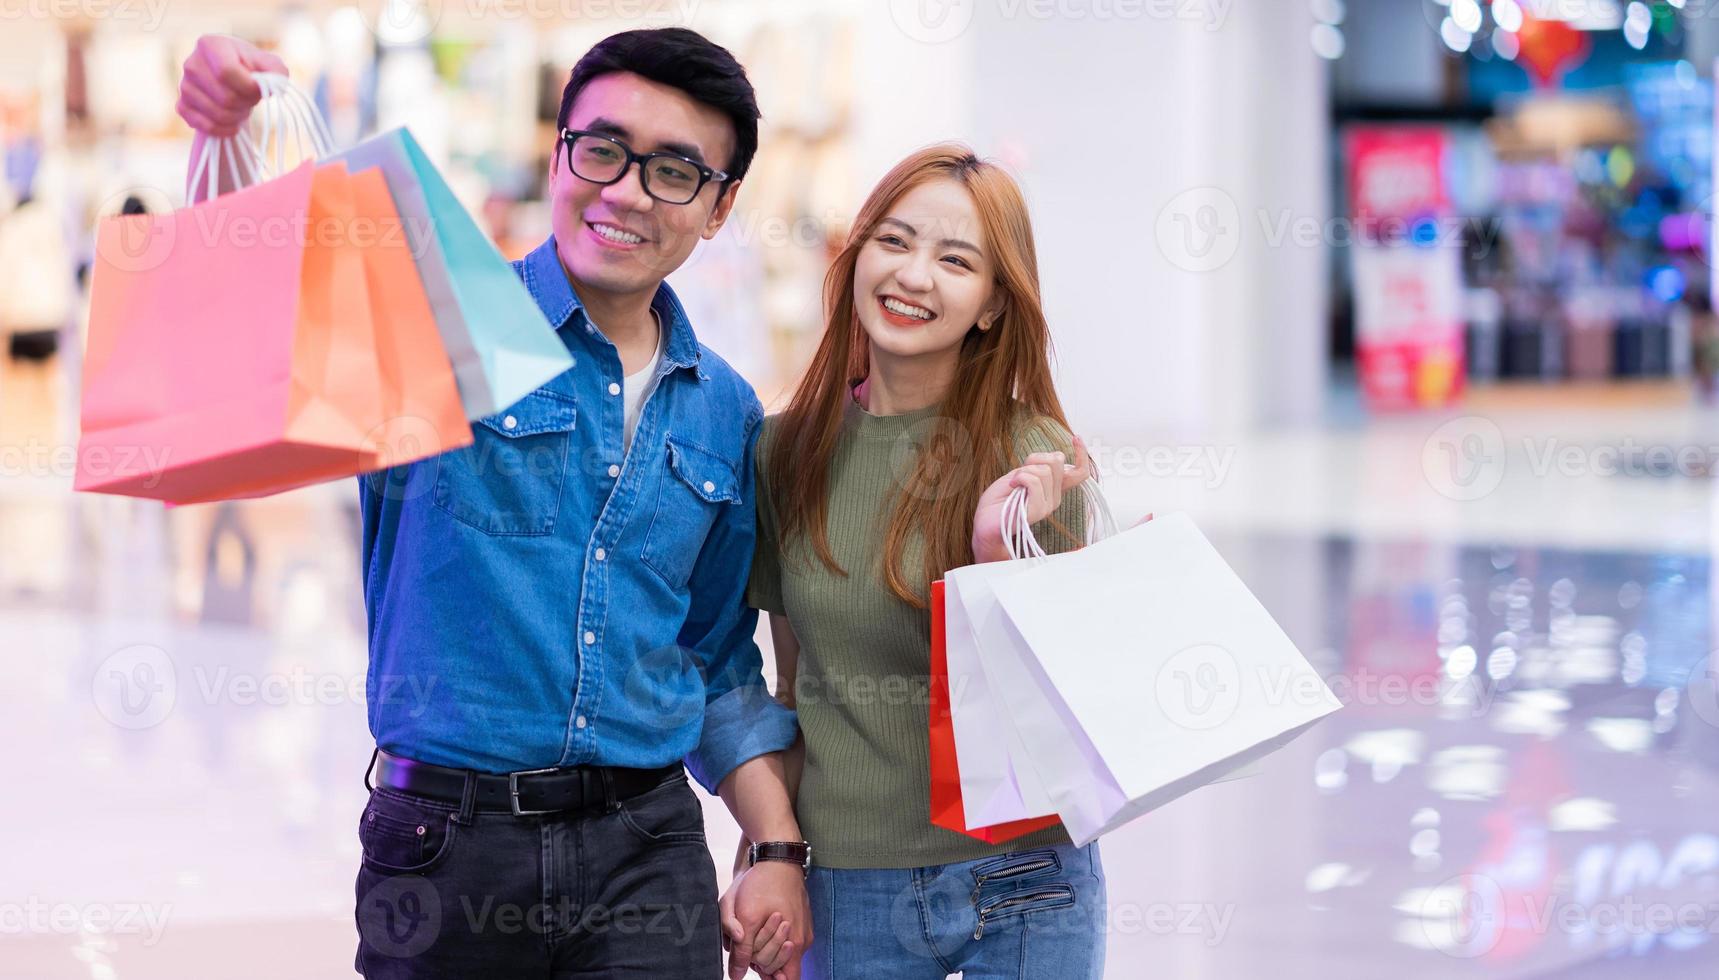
742 718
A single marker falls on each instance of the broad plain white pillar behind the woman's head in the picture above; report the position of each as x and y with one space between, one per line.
1161 147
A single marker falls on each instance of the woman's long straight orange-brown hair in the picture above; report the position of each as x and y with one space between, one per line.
1003 379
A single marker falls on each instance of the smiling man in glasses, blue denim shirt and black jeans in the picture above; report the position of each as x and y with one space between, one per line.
570 589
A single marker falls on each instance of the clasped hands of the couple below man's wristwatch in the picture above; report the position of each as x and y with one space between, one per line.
768 921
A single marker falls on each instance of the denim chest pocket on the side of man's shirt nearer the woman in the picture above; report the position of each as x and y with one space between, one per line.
695 487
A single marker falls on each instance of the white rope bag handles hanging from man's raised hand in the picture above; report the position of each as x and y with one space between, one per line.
284 113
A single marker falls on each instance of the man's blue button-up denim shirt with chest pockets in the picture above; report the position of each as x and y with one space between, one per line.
544 599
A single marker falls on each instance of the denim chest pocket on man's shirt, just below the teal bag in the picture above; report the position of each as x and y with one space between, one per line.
510 481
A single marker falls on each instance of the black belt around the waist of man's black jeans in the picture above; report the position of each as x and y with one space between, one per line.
523 793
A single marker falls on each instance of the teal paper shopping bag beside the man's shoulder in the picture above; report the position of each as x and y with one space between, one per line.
498 340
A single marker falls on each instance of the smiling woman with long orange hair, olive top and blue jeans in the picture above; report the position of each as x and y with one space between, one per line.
867 494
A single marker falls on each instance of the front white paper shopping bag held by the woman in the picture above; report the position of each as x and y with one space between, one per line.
1159 668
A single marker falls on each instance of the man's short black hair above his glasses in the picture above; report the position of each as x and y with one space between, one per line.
685 61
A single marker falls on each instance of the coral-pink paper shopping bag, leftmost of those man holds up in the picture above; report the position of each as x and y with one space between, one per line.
235 353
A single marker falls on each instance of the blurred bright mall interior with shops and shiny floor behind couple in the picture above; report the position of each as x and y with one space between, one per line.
1409 303
